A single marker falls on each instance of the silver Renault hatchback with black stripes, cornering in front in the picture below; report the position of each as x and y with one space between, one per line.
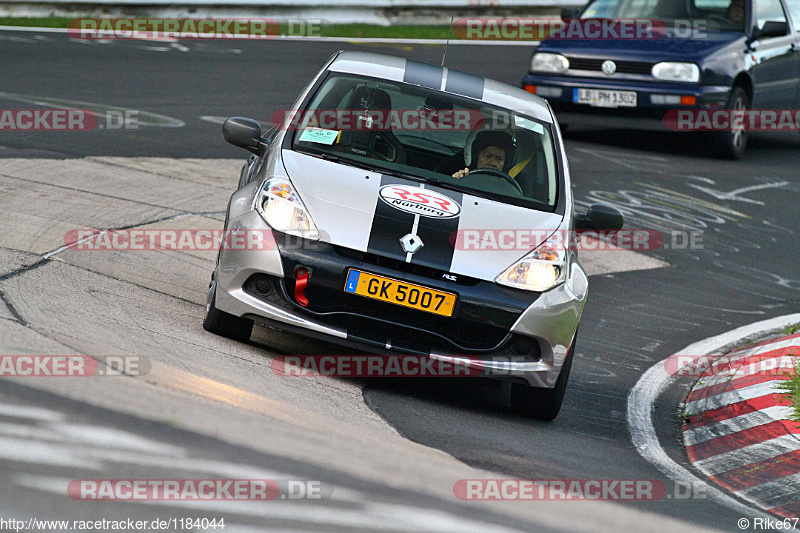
412 209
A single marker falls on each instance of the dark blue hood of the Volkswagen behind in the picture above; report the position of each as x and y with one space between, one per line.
664 49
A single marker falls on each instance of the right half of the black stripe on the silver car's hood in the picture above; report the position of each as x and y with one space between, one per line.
438 236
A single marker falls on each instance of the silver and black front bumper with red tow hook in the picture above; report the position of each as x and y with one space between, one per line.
509 334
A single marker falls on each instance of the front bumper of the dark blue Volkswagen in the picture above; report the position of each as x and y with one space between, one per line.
647 115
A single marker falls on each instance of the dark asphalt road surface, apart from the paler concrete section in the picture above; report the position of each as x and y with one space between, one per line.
743 213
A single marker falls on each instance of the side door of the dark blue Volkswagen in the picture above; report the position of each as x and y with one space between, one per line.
776 68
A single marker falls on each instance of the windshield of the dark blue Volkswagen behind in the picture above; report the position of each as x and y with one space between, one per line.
722 15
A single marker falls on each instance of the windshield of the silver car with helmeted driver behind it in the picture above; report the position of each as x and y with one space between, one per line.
432 136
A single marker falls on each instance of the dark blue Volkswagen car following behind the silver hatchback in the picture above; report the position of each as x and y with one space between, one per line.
711 54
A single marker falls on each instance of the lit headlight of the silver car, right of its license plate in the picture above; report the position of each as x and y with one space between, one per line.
540 270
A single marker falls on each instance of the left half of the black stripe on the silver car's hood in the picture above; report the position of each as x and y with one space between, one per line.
389 225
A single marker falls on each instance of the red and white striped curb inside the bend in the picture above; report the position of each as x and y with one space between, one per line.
739 430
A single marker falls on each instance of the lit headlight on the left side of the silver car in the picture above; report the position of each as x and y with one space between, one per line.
283 210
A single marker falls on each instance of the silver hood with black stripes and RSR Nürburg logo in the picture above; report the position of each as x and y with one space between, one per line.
460 233
